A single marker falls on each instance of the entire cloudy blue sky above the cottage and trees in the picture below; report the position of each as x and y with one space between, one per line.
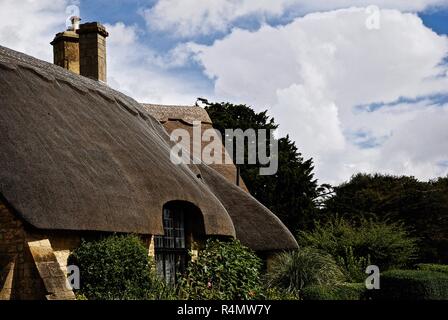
355 96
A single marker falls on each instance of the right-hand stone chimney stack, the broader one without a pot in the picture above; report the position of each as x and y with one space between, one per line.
92 50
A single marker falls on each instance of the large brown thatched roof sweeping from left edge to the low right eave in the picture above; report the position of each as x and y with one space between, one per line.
77 155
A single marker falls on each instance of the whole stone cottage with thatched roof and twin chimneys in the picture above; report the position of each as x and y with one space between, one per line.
81 160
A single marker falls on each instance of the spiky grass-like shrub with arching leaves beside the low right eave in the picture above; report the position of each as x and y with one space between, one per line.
292 271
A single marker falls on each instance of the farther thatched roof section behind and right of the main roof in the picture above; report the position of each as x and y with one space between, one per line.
251 219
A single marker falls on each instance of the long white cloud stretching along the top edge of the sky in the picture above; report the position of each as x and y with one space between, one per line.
188 18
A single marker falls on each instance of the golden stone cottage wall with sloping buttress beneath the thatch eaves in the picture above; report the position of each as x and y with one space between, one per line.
33 263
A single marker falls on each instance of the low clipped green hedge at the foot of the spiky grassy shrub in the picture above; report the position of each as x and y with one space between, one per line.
344 291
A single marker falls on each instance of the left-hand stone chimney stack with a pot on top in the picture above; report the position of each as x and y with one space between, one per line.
66 47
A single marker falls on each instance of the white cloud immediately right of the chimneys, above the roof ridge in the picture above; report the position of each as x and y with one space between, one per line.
138 71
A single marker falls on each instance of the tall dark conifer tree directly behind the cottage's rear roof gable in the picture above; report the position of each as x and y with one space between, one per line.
292 192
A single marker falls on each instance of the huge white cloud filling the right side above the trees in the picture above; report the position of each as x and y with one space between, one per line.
314 71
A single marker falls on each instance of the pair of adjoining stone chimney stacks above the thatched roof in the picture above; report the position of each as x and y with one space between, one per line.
82 49
